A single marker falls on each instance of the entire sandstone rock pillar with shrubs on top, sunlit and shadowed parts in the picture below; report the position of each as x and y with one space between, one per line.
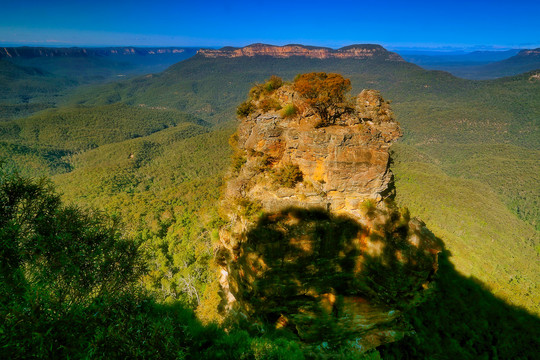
314 242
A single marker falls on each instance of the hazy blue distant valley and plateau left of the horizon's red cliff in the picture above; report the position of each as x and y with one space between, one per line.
35 78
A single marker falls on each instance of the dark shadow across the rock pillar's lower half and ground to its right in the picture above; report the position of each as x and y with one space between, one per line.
459 317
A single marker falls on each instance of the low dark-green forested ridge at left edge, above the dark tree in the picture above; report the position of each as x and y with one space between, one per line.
42 144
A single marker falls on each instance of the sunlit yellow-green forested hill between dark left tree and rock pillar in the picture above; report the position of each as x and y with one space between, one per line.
166 188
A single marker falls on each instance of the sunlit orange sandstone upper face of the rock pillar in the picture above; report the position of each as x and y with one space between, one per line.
342 164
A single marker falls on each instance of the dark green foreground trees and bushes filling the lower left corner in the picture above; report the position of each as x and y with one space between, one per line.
68 289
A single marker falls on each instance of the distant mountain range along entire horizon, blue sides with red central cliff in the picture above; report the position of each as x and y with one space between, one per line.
475 65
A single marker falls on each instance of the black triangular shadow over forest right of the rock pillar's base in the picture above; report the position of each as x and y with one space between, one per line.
463 320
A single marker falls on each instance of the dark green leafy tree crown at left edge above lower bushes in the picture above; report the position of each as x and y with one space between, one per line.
60 252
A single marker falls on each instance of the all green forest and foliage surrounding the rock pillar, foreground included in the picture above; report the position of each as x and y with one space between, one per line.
133 171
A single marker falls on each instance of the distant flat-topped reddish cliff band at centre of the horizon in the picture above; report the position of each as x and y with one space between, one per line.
349 52
